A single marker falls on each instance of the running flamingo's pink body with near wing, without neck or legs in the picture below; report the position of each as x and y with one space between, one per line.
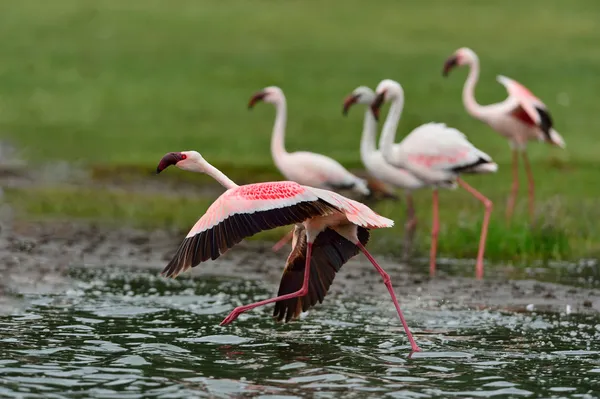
243 211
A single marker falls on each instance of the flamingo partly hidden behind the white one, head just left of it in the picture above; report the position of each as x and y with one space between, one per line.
378 167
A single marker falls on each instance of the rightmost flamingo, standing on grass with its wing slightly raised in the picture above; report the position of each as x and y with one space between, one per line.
520 118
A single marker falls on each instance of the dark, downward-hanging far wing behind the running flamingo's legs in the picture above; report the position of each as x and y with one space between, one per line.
330 252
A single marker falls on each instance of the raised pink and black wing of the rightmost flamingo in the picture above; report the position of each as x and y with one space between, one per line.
528 108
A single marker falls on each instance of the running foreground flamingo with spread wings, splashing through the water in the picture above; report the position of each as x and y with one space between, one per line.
243 211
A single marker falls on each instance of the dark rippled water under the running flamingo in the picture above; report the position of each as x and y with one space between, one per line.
115 334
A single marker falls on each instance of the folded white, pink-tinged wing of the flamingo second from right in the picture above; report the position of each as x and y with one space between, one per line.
439 147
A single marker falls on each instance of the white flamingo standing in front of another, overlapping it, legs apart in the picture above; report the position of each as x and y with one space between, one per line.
436 154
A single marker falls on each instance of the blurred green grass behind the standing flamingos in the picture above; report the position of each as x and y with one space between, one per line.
116 84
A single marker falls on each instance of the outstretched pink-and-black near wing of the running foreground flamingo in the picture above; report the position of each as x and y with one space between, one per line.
242 212
